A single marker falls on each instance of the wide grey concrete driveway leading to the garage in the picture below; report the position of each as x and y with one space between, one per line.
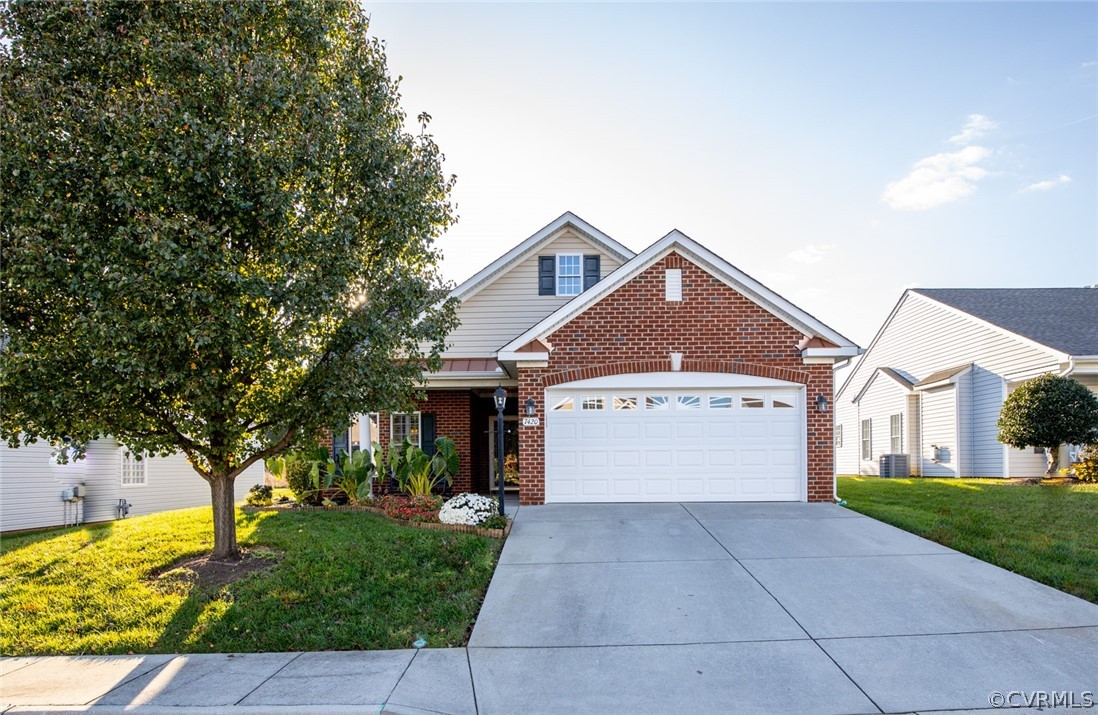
764 609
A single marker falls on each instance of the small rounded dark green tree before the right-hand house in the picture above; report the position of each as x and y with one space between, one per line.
1047 412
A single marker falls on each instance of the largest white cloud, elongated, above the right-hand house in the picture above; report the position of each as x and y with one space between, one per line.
938 180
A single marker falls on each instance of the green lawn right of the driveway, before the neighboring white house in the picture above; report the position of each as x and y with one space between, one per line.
1046 532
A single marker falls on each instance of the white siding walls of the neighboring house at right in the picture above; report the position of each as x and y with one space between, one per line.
924 338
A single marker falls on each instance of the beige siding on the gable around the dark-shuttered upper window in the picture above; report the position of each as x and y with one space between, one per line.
511 305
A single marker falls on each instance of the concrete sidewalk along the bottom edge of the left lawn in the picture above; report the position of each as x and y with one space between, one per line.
382 682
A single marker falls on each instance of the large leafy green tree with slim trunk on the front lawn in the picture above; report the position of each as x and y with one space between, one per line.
218 237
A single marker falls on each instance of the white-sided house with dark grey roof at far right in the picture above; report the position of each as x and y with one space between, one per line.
933 383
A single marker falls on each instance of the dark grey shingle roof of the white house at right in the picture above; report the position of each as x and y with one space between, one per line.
1063 319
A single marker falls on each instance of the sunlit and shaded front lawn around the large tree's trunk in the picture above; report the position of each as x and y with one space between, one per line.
344 580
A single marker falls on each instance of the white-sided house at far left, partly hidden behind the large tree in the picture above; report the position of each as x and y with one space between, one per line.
32 482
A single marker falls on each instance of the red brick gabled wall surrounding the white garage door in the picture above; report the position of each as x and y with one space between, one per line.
718 330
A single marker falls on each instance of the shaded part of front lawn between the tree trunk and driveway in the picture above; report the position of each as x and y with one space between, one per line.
344 582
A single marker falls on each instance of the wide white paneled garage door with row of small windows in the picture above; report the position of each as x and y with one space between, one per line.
608 442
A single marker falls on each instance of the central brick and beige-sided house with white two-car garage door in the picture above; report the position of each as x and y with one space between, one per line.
663 376
